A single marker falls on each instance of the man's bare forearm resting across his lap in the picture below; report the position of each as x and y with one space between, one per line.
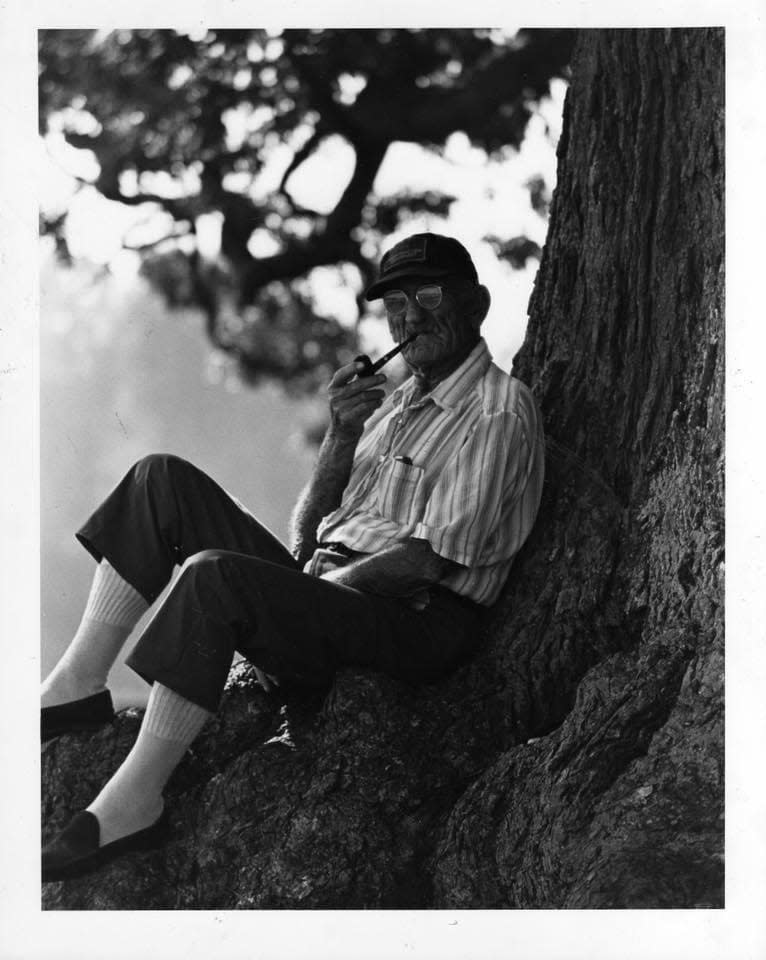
401 570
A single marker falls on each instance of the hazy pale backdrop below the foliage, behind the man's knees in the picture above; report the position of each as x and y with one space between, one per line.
120 378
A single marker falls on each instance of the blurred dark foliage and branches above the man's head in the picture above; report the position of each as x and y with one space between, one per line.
157 109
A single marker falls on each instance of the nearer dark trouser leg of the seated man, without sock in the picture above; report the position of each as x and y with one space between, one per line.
298 627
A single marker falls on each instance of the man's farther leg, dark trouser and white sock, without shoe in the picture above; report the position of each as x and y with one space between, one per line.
163 511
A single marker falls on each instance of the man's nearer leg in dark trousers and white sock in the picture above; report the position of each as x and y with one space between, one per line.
288 623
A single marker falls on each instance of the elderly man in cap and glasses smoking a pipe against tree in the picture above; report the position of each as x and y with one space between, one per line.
415 510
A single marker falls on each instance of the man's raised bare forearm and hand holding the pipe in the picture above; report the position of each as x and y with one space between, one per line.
352 402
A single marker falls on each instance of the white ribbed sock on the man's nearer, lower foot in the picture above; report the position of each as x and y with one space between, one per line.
132 799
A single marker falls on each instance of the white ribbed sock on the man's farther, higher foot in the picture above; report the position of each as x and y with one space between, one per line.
113 609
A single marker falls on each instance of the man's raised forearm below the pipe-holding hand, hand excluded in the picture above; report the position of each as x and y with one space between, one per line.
323 492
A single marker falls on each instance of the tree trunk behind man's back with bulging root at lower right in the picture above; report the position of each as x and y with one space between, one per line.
611 634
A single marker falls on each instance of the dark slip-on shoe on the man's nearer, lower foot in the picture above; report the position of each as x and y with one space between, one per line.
75 851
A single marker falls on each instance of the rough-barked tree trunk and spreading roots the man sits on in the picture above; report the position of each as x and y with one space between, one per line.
577 760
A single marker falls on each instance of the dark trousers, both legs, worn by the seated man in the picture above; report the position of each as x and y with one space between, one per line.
241 590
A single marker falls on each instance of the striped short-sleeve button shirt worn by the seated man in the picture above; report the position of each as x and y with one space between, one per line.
461 467
